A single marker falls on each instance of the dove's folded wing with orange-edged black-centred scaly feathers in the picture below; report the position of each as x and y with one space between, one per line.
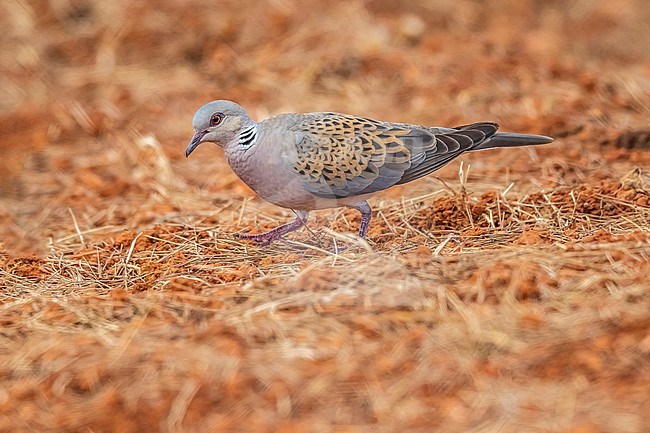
343 156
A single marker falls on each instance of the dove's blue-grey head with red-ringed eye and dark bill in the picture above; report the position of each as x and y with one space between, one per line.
218 122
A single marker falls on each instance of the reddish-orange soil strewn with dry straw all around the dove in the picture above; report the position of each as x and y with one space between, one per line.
510 294
